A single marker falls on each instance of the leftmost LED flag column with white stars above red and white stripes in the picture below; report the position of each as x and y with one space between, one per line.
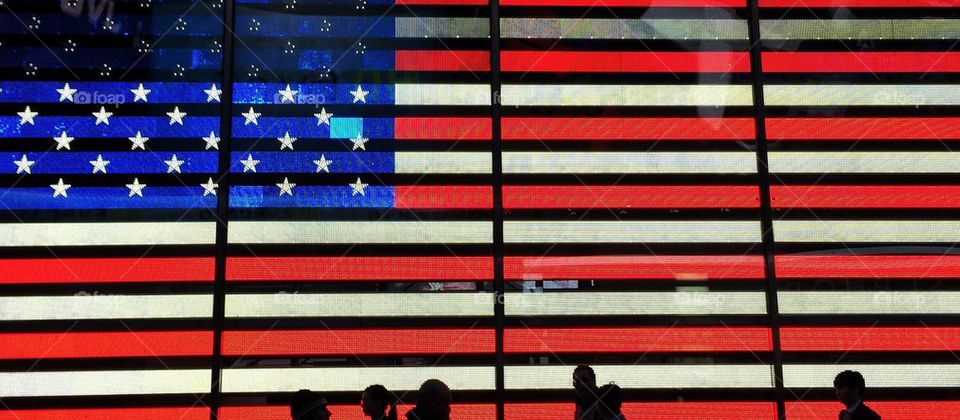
108 136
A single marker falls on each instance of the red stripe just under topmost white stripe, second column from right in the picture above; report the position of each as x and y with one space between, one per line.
624 62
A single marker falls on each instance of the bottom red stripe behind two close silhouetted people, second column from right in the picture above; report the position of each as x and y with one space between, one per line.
713 410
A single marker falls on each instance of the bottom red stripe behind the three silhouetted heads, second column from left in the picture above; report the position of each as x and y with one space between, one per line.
352 412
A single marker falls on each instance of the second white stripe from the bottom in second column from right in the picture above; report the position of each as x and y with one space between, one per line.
635 303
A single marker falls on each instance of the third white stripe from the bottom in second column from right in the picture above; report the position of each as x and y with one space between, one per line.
631 231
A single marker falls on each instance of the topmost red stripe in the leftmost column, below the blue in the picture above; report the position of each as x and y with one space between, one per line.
105 270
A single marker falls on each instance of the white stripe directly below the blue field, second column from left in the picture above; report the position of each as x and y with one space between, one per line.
384 232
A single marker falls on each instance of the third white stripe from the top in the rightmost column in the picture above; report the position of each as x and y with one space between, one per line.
864 162
